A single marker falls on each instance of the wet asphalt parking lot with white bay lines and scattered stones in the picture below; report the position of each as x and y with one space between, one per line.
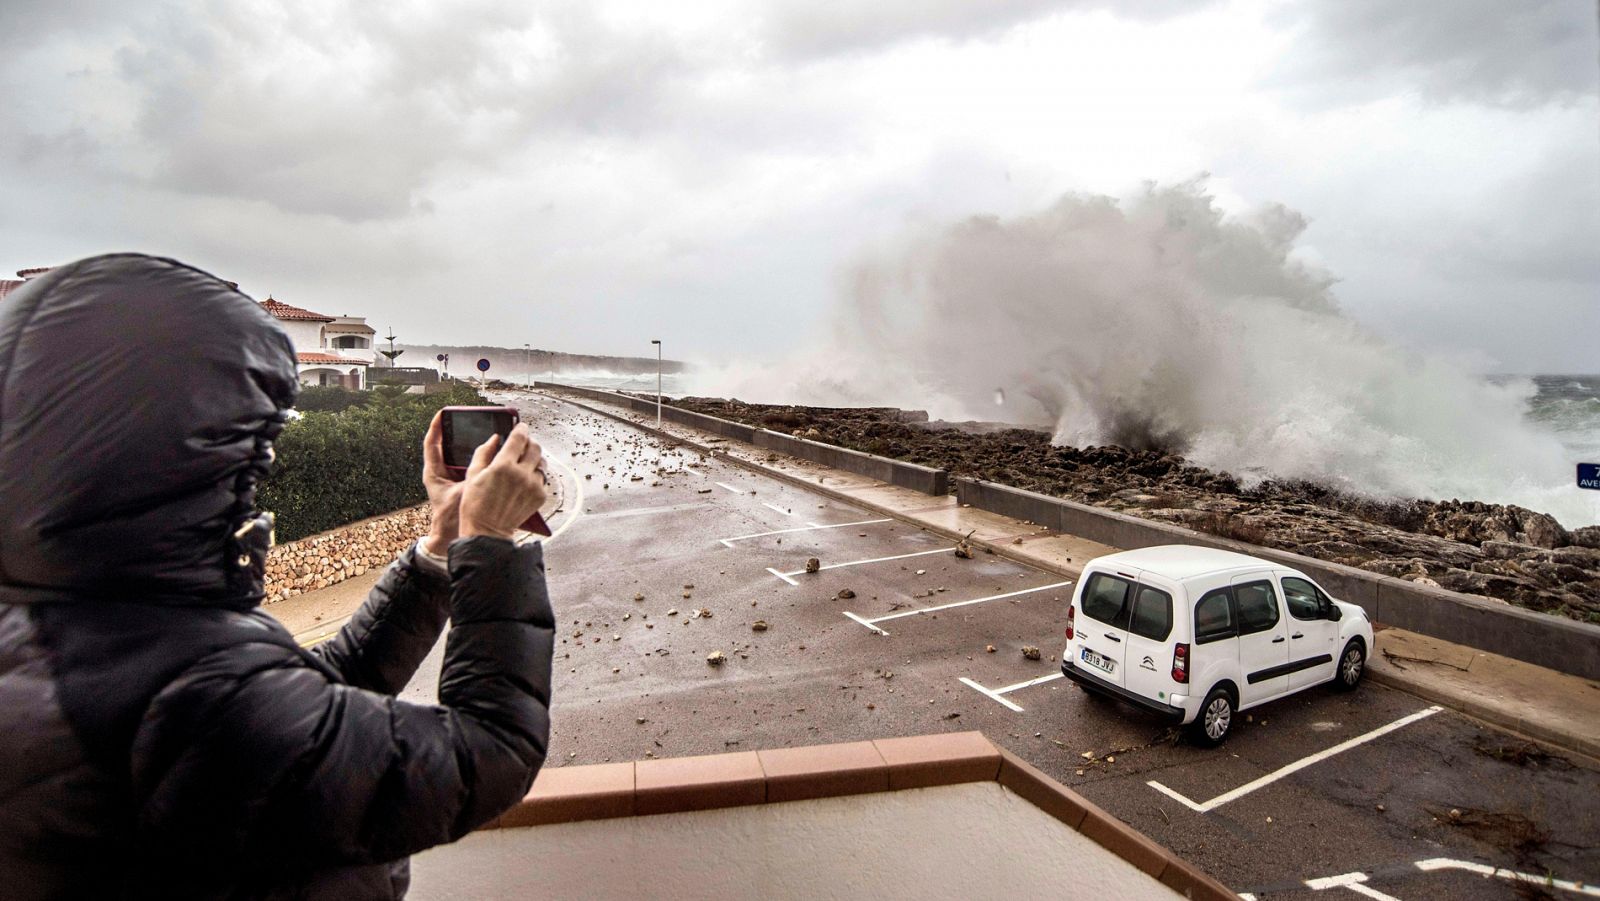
665 558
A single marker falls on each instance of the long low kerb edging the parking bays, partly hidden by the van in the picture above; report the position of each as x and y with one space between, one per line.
1462 703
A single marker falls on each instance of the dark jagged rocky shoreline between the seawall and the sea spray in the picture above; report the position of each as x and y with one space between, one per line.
1495 551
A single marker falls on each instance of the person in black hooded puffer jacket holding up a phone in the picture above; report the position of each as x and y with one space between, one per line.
161 735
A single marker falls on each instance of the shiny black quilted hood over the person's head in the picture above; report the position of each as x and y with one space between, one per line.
138 406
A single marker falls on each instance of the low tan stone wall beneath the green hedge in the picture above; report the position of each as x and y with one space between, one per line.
327 559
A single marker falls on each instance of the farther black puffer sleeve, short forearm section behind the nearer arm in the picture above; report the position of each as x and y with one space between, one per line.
386 641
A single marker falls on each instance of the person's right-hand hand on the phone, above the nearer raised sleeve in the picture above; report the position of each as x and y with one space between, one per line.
503 489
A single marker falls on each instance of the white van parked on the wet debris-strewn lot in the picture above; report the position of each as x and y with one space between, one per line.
1199 635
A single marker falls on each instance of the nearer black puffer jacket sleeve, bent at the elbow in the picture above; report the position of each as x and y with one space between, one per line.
258 755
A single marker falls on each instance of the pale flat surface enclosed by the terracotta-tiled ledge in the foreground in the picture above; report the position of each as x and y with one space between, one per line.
972 841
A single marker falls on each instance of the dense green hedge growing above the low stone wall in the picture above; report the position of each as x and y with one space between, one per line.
340 467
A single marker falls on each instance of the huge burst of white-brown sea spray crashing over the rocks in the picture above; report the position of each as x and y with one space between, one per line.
1161 322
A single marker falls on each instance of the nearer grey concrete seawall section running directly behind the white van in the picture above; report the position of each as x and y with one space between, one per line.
1479 623
